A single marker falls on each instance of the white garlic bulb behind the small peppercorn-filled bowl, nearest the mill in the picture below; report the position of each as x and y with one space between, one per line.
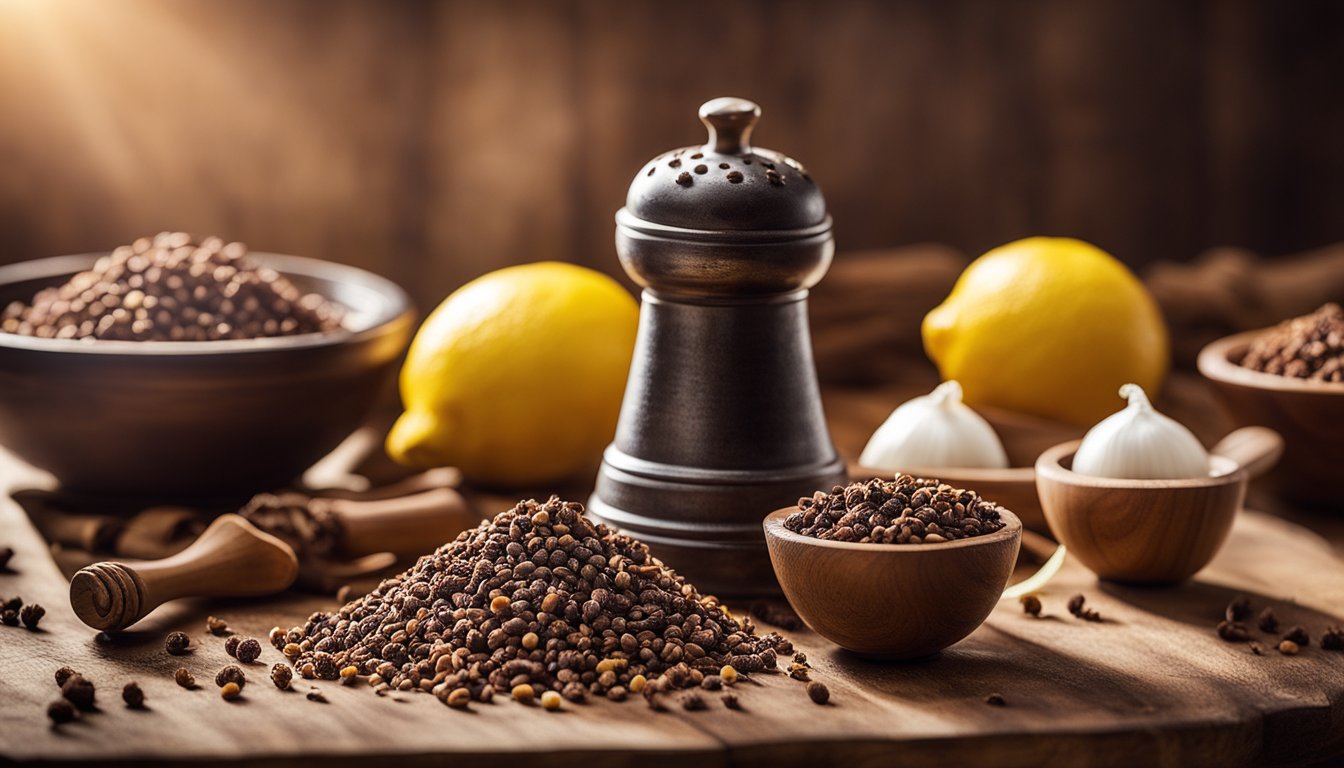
935 431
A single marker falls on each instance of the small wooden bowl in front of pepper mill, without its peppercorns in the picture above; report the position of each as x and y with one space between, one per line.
893 602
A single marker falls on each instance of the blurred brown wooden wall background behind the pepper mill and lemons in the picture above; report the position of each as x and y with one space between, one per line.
433 142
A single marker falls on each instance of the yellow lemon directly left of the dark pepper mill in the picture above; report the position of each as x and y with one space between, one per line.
517 379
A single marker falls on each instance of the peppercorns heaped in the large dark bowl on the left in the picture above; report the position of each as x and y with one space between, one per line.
170 289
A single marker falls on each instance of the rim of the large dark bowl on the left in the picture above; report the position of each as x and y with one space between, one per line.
401 310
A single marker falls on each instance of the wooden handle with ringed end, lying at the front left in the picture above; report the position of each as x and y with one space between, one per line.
232 559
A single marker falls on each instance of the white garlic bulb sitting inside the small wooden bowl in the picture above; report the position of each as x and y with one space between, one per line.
1140 445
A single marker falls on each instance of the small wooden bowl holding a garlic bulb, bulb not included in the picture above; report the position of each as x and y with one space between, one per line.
1144 532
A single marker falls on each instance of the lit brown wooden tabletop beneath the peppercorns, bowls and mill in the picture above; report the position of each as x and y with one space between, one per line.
1150 685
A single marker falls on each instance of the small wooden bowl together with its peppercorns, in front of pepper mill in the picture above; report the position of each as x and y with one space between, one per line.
884 599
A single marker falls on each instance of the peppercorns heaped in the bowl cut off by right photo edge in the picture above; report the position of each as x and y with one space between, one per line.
1308 348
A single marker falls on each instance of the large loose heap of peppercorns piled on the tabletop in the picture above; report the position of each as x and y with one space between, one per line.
538 599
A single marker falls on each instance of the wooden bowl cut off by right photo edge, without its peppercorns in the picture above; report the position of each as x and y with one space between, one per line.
1308 415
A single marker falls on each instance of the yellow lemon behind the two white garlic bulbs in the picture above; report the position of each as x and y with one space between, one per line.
1050 328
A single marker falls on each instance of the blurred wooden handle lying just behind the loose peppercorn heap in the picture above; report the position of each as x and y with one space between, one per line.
408 527
